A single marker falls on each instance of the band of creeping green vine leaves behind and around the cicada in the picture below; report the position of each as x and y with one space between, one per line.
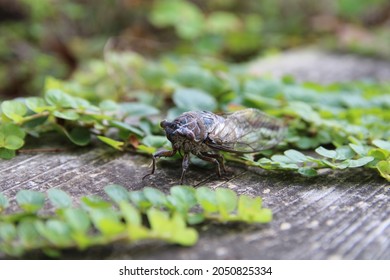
345 125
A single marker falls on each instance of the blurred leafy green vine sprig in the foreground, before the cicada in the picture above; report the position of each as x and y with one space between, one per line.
147 214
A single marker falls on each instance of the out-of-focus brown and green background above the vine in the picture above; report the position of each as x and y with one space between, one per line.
57 38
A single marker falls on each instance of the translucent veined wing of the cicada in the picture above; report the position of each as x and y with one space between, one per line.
246 131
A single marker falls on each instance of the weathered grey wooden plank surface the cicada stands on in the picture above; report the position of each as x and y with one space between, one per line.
337 215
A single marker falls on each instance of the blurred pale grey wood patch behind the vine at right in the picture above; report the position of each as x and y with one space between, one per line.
317 66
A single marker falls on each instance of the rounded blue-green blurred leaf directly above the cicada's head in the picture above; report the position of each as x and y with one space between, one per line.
190 99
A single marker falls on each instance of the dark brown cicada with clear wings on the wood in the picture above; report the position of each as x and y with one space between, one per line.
204 134
